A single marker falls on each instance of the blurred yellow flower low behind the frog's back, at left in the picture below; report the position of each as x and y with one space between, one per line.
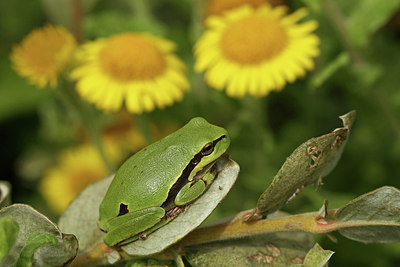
76 168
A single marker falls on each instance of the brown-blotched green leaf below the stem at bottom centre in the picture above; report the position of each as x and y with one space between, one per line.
275 249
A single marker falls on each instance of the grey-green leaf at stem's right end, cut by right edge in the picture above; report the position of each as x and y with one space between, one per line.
372 217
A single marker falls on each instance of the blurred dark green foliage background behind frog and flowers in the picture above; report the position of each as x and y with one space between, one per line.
358 69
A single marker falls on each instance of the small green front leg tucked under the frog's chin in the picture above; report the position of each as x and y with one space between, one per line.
190 192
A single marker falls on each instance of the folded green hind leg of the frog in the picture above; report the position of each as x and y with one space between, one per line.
130 224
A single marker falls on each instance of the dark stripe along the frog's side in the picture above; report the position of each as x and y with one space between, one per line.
183 179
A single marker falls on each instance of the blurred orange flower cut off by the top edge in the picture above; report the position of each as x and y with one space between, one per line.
217 7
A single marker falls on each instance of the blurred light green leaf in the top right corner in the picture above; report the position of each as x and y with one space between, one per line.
368 17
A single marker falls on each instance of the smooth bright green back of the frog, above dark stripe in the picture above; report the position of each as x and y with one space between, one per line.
145 178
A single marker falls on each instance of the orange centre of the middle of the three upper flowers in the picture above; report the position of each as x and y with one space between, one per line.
130 56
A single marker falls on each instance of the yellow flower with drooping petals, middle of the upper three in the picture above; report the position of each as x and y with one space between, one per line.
139 70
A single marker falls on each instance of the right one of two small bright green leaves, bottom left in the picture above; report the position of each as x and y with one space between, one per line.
35 241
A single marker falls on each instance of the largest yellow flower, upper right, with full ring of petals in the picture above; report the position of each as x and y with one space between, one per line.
255 51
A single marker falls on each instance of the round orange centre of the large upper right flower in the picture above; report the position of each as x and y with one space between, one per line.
253 39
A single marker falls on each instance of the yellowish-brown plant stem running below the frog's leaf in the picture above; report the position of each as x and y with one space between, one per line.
234 228
